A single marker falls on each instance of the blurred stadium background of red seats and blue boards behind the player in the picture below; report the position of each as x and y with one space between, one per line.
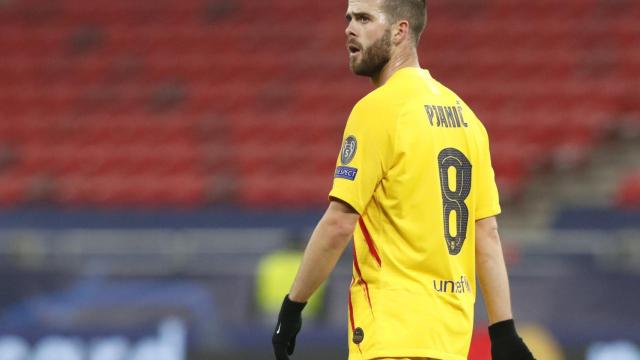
163 162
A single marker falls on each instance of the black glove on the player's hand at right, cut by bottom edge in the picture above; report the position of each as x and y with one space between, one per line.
506 344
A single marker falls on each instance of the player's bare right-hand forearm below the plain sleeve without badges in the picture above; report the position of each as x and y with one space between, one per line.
492 271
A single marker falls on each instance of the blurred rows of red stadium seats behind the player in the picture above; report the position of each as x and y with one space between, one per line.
193 103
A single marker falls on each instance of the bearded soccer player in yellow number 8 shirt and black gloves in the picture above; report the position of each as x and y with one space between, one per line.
415 188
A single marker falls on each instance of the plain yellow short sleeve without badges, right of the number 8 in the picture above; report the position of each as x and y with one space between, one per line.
488 200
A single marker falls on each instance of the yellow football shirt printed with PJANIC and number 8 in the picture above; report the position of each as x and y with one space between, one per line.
415 164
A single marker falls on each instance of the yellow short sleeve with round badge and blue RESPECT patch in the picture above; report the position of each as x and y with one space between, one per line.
364 156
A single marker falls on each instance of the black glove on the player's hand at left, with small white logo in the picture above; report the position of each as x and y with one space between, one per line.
289 324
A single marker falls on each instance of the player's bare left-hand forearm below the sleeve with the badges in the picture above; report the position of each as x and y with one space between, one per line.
325 247
